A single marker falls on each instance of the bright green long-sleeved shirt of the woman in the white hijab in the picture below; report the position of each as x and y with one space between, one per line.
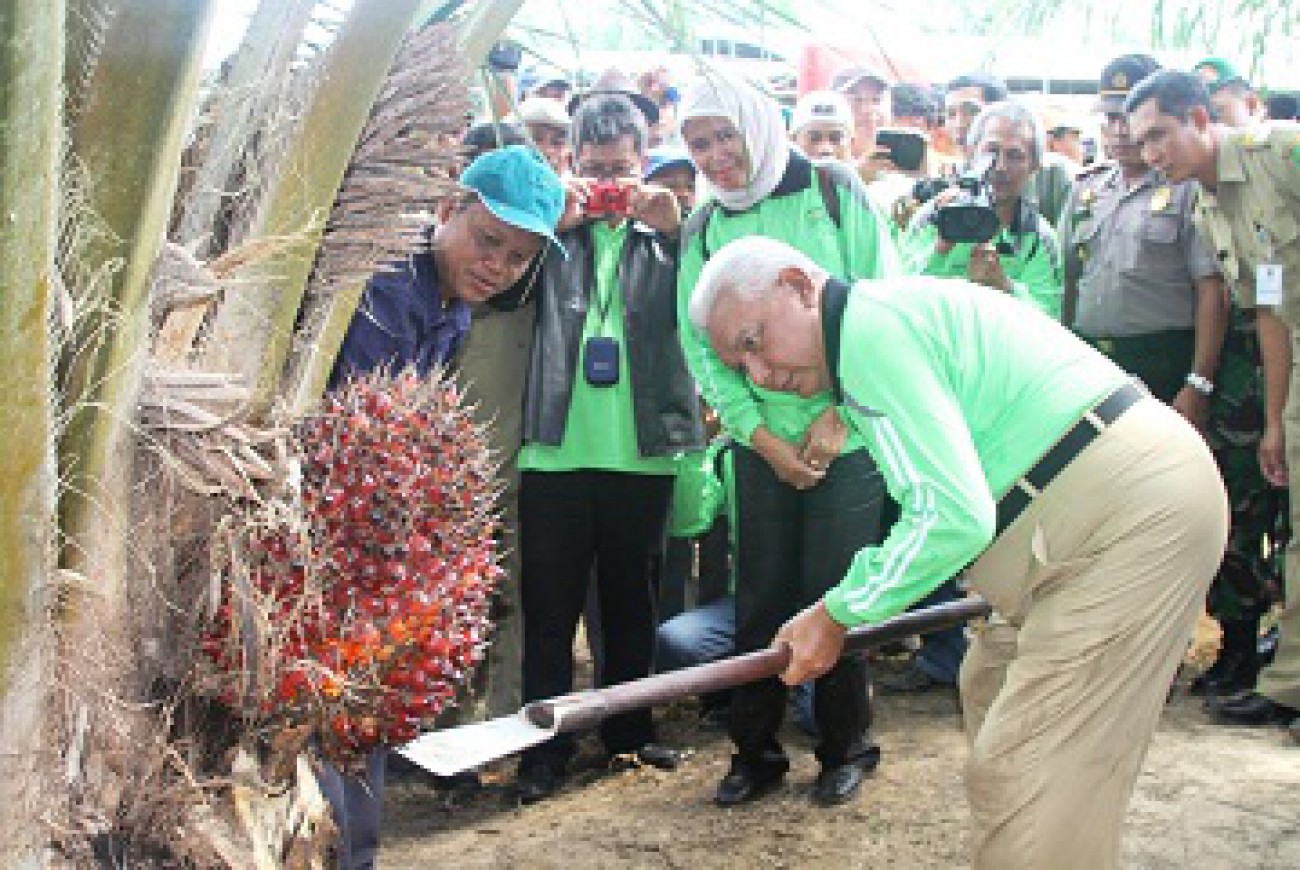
860 248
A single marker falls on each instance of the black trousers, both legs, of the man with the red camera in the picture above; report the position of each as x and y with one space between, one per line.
567 522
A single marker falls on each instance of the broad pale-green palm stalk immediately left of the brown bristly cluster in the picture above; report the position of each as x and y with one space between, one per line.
253 330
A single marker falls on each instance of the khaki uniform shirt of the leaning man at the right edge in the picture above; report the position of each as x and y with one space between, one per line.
1254 217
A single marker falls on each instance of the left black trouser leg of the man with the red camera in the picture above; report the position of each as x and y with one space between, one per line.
557 547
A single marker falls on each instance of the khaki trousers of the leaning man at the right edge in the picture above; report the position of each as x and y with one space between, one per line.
1281 681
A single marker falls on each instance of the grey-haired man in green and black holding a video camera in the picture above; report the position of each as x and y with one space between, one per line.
983 227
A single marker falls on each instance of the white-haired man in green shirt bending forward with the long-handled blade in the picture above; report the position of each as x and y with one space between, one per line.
1090 516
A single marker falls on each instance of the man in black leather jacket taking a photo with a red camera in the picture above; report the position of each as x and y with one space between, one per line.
609 405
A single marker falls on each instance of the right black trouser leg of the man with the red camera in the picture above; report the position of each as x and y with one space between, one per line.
631 520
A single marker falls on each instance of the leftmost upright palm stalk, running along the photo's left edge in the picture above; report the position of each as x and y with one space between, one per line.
32 53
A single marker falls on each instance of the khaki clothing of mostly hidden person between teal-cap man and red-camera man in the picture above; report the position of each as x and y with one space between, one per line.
495 367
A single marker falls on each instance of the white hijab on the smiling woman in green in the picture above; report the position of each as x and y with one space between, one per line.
722 96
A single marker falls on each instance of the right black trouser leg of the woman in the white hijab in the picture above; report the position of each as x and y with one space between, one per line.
840 517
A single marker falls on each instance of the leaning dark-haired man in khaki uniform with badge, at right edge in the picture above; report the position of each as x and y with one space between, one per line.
1249 211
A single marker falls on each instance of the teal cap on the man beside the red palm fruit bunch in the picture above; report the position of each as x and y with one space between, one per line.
518 185
